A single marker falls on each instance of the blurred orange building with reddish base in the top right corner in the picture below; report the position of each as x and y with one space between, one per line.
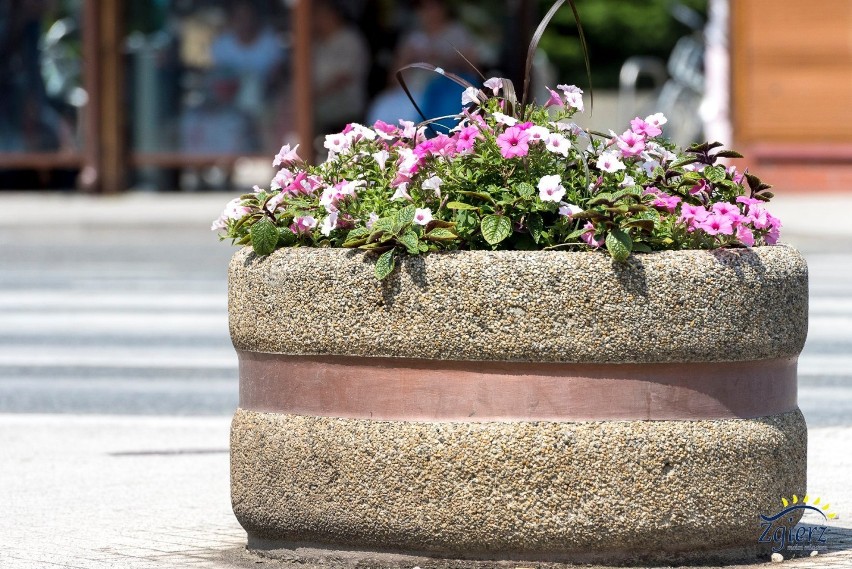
791 96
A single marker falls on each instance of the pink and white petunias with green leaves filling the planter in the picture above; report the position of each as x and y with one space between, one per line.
510 175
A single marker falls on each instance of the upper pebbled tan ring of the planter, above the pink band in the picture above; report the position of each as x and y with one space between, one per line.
548 306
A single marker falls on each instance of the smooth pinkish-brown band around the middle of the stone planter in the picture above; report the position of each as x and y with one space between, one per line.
436 390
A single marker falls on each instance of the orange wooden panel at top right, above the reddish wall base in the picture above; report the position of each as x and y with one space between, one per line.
792 71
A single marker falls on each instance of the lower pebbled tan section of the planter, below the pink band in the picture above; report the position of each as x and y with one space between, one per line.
586 491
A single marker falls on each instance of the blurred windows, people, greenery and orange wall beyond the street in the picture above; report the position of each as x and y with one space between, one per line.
186 95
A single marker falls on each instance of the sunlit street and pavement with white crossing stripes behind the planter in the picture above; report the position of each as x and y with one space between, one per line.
117 380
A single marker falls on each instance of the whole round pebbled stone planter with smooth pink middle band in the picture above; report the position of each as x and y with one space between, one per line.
544 407
